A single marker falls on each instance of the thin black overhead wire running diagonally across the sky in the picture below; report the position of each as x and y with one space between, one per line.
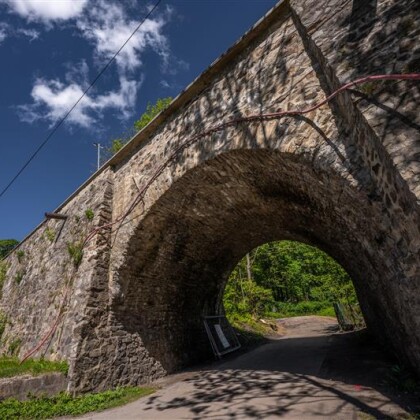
61 121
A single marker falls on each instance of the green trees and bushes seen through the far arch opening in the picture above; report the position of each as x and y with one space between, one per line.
287 278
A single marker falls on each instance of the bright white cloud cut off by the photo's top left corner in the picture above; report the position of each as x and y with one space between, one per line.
47 10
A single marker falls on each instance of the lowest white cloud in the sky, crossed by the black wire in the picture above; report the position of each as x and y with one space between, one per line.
53 99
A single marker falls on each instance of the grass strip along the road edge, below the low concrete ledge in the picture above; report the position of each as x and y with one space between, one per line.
64 404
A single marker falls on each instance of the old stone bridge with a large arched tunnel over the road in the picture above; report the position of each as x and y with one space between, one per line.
119 288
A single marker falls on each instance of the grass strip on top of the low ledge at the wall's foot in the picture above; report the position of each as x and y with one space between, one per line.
10 366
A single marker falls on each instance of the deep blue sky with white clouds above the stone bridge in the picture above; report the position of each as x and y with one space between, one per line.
51 49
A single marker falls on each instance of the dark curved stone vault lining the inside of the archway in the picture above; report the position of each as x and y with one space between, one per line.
182 252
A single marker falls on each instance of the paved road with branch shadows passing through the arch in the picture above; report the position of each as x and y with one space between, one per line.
310 372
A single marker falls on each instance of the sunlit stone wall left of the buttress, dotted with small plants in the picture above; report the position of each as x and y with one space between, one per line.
44 281
